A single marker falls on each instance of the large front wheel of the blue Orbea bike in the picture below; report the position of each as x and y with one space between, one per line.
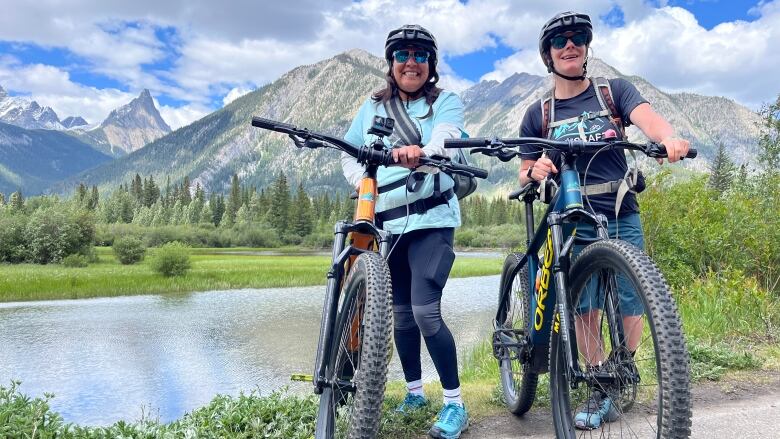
641 372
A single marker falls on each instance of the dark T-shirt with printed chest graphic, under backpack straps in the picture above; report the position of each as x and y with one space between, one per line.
609 165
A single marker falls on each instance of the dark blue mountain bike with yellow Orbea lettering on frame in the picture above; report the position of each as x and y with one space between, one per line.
536 330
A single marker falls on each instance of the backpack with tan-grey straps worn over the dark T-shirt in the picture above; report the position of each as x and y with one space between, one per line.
633 181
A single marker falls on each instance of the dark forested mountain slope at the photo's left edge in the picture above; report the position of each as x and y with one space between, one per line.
32 160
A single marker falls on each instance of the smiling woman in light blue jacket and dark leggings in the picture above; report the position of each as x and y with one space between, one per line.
422 255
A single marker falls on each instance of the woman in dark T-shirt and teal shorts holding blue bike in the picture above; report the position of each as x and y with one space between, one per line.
578 113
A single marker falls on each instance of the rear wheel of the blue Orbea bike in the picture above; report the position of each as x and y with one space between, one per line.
518 382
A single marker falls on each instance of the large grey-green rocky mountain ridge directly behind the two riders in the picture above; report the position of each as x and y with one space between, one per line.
326 95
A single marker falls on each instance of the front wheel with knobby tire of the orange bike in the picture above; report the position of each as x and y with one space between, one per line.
351 403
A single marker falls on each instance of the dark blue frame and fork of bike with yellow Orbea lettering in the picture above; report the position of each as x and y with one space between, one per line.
556 234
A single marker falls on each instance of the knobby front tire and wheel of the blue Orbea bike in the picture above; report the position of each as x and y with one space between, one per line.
651 390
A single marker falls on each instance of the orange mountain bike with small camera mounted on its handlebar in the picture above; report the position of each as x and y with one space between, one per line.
353 351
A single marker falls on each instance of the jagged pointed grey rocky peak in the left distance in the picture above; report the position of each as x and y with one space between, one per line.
128 128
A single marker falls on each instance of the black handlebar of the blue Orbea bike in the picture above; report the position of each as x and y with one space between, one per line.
502 148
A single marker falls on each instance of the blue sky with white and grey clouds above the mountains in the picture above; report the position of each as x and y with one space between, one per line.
85 58
